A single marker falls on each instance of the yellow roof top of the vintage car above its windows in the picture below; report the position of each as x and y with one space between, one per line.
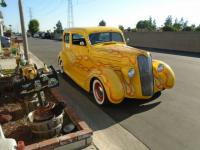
92 29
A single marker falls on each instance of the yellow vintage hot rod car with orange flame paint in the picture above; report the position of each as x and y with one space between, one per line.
99 60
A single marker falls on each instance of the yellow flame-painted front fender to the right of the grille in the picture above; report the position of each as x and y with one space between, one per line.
164 79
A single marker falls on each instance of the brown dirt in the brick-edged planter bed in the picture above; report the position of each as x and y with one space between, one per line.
14 112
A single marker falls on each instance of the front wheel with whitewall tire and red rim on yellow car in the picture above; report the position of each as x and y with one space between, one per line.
99 93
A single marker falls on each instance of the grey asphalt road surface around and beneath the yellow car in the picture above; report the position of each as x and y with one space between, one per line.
169 121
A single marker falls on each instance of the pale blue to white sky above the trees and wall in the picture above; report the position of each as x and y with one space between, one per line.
91 12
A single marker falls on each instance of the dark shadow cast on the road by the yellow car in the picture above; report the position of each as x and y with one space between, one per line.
120 111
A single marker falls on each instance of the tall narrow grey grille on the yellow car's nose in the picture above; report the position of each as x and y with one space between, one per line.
146 75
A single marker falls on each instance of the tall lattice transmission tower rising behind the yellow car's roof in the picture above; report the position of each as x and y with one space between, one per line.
70 17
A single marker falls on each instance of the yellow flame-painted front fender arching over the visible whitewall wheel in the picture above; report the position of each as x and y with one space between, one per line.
111 83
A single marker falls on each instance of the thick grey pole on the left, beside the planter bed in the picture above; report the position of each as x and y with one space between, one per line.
25 42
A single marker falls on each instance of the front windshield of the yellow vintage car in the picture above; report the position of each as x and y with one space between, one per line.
102 37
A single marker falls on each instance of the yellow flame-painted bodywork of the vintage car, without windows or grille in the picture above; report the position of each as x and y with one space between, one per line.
110 64
